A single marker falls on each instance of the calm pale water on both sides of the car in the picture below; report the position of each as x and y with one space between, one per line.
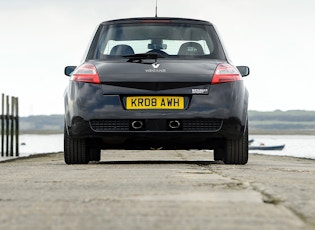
295 145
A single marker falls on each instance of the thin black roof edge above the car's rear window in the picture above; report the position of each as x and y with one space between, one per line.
156 19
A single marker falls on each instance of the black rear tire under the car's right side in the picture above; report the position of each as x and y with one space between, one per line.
236 151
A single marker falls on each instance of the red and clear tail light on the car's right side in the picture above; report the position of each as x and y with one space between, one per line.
225 73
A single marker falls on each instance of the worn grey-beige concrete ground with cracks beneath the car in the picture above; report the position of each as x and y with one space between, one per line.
157 190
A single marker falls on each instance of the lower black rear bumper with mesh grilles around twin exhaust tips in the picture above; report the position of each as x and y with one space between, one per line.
120 134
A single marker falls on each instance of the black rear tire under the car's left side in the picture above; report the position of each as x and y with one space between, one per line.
75 150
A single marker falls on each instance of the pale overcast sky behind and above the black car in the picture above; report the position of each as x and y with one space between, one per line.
275 38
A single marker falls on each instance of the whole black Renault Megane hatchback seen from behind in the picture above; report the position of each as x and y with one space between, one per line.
148 83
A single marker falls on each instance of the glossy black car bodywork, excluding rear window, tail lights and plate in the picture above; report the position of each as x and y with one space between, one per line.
219 111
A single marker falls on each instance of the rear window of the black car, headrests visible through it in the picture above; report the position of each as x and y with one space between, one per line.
172 40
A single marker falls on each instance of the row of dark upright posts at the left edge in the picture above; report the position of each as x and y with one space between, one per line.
9 126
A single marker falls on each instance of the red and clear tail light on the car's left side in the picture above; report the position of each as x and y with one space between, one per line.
86 73
